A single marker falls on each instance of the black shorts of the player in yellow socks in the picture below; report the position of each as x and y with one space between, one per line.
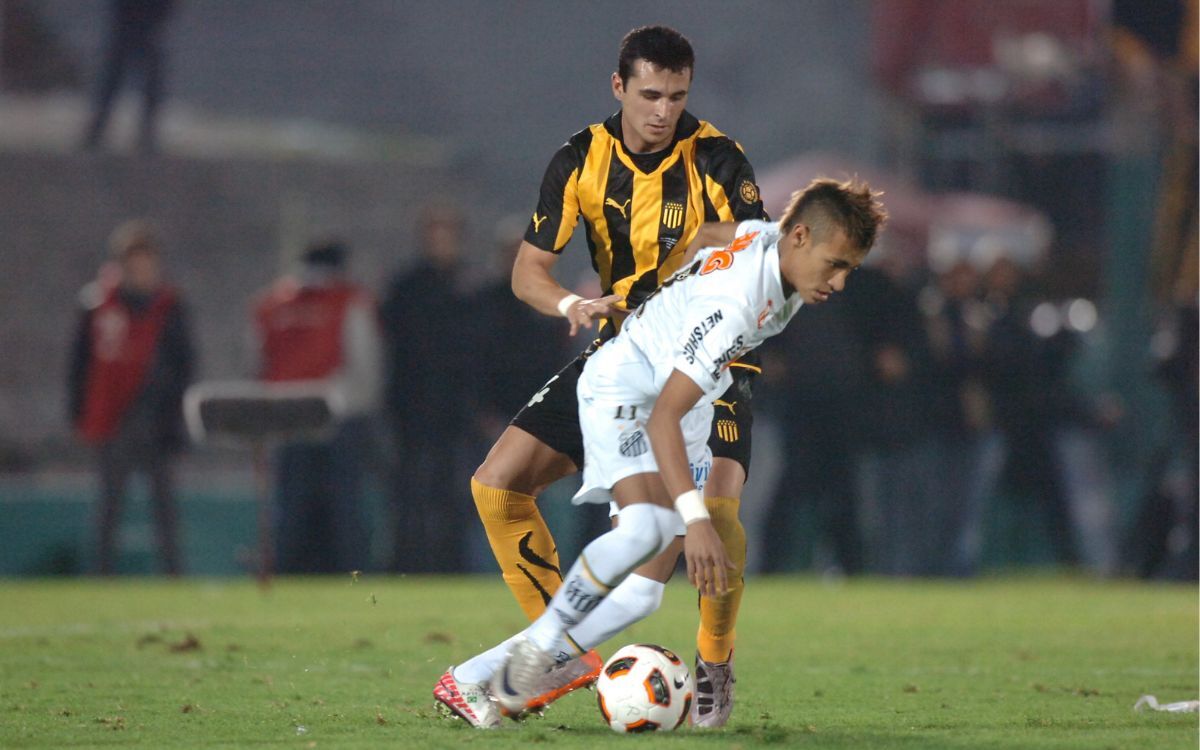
553 415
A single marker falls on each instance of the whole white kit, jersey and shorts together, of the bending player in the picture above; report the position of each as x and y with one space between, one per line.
728 302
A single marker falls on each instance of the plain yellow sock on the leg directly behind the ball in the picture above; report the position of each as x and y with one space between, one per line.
719 615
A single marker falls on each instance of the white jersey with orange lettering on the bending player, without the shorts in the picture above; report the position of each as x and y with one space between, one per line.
713 313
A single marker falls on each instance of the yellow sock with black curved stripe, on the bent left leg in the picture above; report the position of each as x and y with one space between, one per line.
523 545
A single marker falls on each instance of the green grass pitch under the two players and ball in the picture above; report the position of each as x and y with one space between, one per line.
1012 663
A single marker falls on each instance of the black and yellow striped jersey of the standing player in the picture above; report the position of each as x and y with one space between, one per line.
641 211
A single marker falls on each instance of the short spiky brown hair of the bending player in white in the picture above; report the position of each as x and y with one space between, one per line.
827 205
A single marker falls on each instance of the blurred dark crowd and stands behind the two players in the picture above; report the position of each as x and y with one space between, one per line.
1010 382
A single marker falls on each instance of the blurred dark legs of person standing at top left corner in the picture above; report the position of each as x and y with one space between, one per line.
135 40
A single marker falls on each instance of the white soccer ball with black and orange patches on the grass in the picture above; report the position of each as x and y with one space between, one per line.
645 688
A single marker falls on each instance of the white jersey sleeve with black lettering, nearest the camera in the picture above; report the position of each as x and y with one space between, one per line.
716 338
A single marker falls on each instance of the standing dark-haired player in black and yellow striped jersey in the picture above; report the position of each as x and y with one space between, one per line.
644 182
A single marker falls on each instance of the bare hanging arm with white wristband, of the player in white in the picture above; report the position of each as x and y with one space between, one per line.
709 565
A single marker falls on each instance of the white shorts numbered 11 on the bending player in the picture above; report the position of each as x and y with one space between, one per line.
616 395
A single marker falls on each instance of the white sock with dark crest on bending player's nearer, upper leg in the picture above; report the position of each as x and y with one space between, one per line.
643 532
